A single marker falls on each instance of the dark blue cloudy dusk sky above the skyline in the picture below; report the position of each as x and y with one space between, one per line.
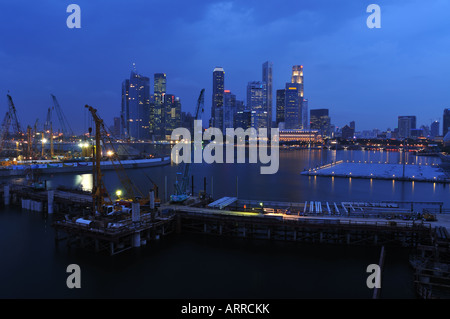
367 75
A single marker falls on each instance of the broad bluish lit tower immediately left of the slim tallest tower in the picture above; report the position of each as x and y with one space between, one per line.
256 103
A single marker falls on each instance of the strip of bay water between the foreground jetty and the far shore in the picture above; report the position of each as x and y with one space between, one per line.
286 185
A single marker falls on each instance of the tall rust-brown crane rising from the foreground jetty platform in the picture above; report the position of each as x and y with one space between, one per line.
99 189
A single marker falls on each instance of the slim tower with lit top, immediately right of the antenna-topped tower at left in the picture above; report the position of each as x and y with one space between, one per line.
157 106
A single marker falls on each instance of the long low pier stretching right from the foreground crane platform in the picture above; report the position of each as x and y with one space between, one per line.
298 228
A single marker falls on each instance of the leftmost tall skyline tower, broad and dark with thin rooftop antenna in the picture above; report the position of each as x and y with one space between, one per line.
138 105
